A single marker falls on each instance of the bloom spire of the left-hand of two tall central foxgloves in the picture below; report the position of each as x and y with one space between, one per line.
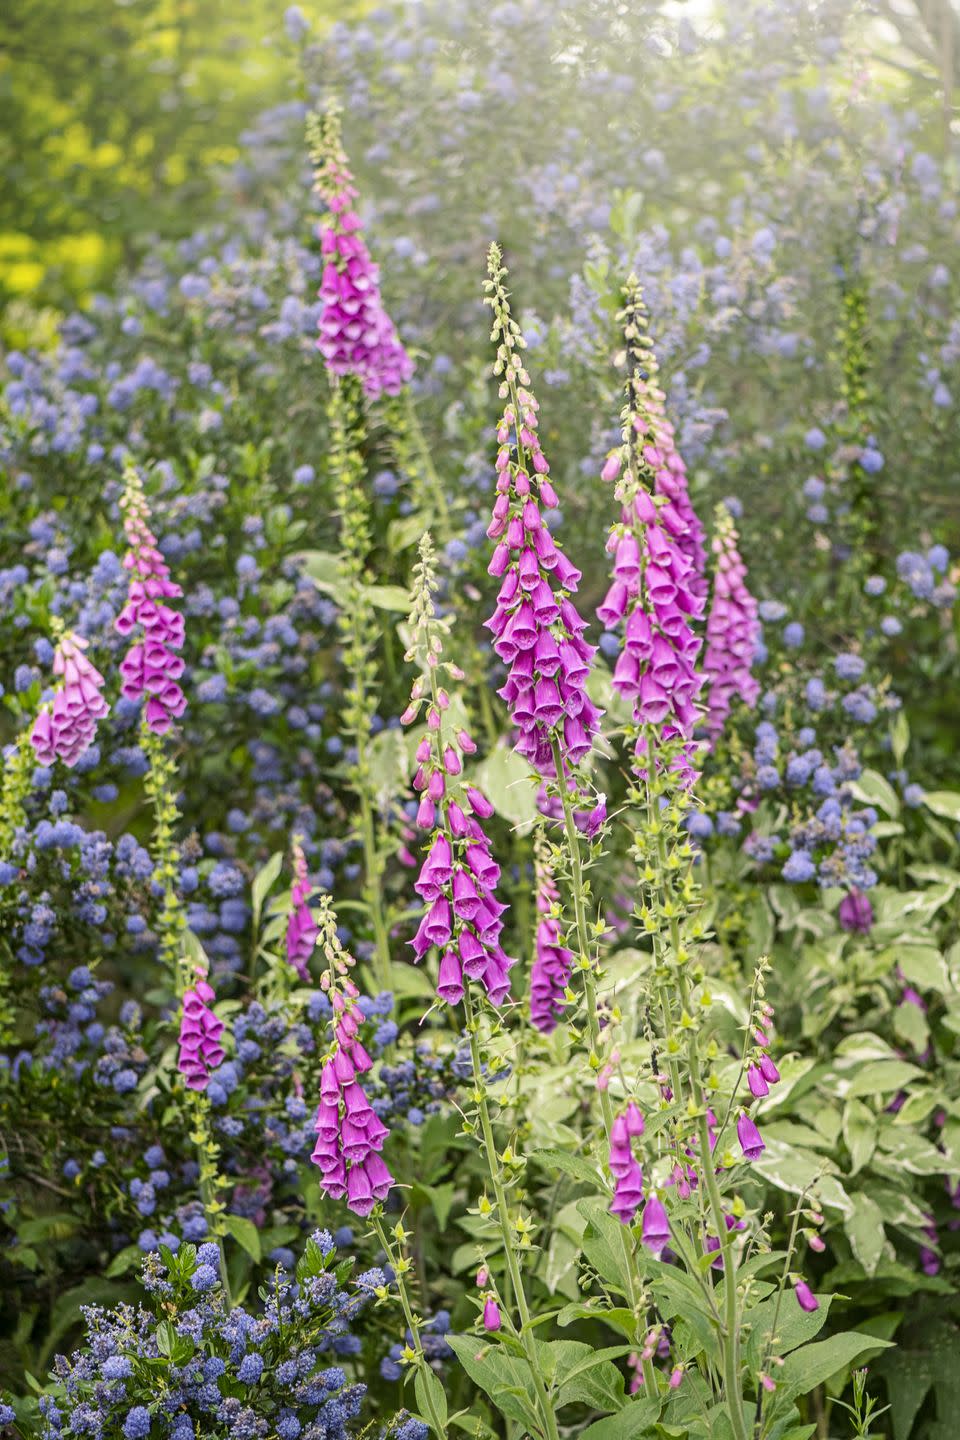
538 630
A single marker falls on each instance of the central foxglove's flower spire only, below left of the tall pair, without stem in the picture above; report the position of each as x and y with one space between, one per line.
458 878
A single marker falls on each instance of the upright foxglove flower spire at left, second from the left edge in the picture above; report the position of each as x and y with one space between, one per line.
150 667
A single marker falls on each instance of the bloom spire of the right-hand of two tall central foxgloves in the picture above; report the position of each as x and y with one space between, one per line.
656 595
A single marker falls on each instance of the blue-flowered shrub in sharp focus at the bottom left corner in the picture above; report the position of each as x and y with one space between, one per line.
189 1366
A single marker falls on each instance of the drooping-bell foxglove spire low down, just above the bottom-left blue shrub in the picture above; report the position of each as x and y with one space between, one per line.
349 1134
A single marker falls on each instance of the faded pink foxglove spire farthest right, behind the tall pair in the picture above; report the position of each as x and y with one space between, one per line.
733 631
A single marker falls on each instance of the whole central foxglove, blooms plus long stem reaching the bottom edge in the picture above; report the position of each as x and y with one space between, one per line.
463 925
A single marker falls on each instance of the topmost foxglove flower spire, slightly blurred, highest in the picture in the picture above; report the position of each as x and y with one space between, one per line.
356 335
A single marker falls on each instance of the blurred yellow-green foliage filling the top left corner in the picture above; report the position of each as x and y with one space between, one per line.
114 120
